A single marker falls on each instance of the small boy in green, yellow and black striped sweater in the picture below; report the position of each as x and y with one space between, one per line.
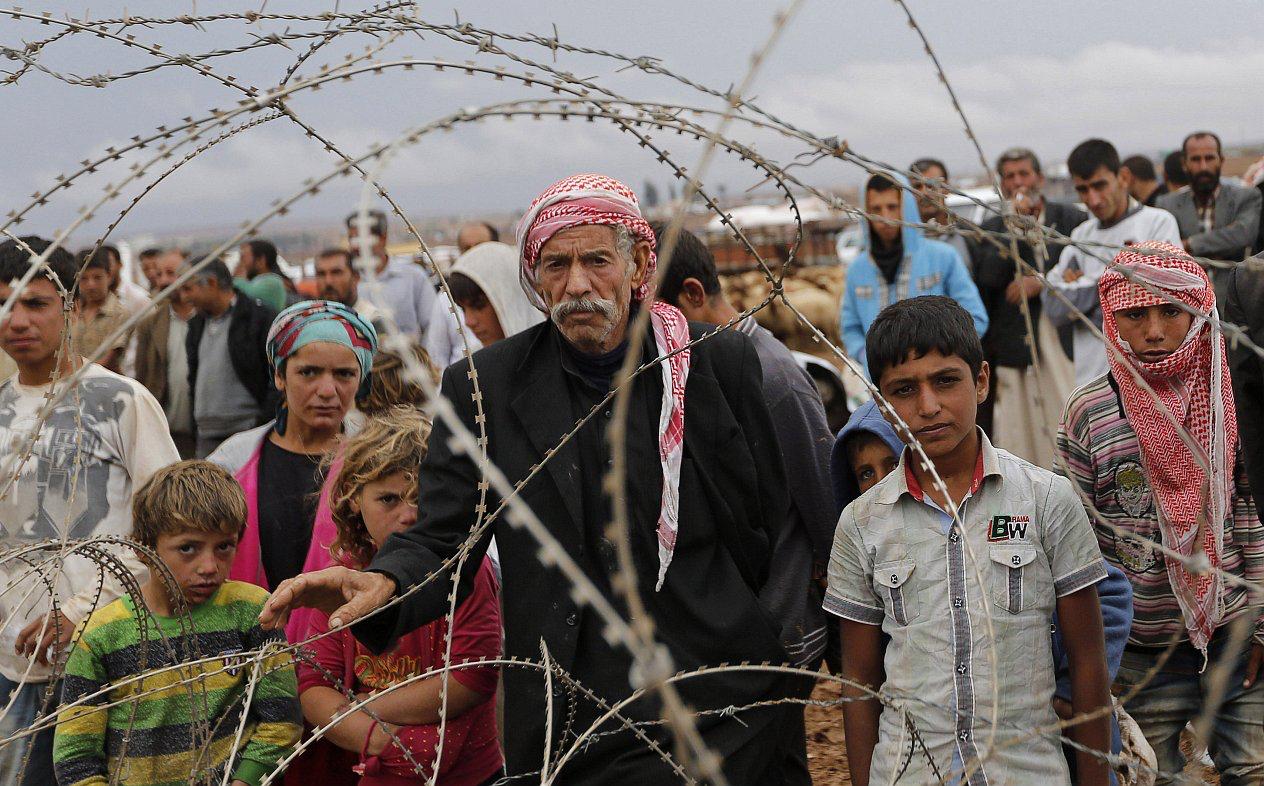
181 684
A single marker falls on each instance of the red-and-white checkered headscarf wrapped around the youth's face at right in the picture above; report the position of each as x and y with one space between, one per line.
1193 478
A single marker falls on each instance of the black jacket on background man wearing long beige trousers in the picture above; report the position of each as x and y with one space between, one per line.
1006 343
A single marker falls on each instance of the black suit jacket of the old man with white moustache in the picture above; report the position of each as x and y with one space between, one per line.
732 506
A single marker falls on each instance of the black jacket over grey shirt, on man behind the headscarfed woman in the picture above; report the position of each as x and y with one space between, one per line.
248 352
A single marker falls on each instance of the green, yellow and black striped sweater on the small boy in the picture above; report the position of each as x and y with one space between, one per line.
178 725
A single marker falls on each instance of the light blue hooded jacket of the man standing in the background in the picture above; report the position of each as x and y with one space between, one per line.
930 267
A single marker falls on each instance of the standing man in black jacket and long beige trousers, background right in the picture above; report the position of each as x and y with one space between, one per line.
1017 418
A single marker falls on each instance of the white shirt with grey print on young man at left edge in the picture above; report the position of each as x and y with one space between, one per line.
100 443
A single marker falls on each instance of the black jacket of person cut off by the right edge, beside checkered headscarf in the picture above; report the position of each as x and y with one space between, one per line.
1243 308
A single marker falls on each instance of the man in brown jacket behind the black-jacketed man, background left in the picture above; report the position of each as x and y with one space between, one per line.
162 360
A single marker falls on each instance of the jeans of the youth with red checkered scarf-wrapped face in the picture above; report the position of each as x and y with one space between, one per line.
1177 696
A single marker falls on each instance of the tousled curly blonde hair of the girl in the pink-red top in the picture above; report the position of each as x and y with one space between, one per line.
391 443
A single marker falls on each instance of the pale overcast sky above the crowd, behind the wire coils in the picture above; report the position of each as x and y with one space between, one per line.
1041 75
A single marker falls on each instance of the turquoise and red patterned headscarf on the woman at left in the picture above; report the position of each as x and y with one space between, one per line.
310 322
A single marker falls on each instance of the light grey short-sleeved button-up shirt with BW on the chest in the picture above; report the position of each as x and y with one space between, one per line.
969 614
